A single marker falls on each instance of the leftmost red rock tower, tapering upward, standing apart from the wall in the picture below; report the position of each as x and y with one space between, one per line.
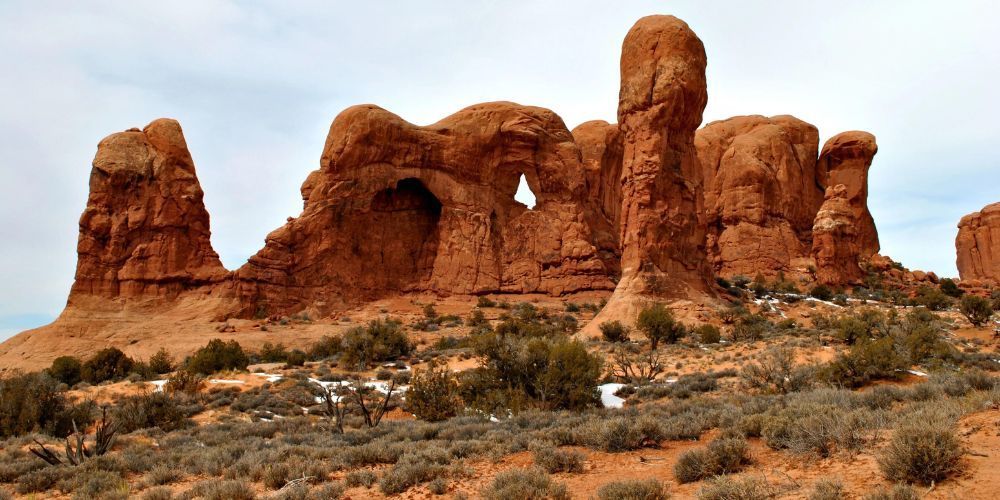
145 231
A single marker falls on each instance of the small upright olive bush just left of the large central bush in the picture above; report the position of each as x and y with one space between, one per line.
434 394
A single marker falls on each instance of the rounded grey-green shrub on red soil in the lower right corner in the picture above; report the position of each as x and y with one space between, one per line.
921 454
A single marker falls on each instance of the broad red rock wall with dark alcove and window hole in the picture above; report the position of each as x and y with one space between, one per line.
396 207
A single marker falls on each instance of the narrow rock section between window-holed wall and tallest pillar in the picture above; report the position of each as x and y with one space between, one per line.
601 147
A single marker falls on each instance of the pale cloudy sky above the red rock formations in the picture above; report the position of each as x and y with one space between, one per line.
255 86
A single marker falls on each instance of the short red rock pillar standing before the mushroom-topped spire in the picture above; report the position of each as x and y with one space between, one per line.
836 243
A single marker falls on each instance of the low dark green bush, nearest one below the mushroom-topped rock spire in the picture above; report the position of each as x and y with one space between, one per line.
866 361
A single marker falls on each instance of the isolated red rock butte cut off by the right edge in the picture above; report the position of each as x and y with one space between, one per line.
978 245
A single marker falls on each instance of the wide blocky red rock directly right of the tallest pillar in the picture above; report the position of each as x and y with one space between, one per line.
761 192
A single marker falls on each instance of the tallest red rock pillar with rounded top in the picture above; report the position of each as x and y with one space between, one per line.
662 96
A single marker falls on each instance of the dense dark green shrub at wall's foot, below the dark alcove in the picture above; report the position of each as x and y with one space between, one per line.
380 340
